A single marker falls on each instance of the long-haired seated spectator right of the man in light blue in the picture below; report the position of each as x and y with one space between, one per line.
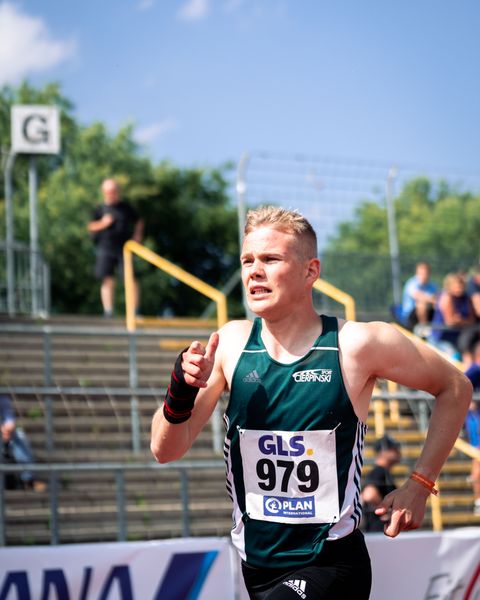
453 315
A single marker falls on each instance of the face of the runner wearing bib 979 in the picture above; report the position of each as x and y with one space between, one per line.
274 275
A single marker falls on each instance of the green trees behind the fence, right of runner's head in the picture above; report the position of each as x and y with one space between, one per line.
435 222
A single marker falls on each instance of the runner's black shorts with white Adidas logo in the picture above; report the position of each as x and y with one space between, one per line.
341 572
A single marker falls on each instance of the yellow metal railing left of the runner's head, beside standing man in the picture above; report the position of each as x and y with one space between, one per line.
131 248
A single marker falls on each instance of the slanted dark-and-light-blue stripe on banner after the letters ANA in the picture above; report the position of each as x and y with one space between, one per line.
185 575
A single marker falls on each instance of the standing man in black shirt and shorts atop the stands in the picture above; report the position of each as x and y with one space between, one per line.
112 224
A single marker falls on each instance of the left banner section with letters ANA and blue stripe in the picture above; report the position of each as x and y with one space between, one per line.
193 569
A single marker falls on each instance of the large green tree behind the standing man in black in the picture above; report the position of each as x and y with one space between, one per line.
188 214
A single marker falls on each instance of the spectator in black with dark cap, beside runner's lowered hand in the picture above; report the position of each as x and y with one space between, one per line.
379 482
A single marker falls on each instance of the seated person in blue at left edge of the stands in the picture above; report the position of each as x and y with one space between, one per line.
15 446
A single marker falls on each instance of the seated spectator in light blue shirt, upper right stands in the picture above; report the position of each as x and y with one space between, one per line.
419 296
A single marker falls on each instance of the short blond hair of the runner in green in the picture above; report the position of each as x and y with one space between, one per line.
288 221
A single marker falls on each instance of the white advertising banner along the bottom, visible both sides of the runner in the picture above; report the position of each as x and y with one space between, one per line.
414 566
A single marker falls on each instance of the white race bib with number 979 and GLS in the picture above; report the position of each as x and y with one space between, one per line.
290 476
